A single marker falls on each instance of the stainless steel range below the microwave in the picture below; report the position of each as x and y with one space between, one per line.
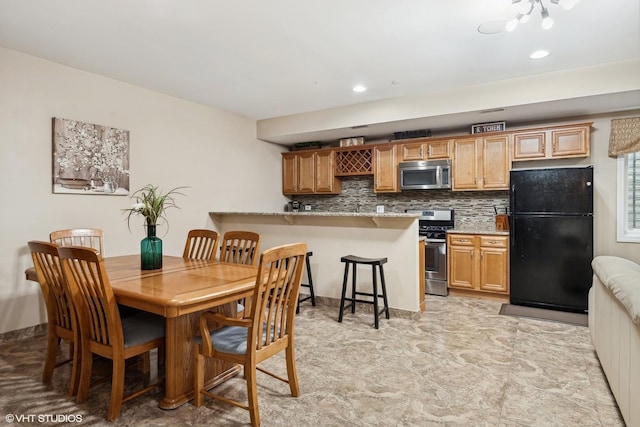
434 224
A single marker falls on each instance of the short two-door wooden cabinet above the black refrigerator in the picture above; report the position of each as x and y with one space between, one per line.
552 143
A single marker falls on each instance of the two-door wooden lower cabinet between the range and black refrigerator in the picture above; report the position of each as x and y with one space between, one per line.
478 262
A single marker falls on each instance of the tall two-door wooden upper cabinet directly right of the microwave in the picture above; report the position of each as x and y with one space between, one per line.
481 163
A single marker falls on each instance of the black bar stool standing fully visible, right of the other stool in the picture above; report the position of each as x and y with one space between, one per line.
373 262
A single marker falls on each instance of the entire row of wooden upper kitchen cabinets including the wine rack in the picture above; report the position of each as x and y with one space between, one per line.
479 161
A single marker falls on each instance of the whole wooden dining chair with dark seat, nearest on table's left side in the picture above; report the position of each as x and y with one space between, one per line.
102 331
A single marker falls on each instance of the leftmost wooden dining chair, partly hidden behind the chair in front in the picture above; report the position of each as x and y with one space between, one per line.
61 317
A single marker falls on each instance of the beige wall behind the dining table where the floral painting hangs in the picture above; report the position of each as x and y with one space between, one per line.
173 143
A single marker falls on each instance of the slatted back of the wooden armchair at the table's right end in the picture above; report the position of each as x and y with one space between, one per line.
276 293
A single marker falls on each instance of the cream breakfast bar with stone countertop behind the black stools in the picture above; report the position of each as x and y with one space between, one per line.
332 235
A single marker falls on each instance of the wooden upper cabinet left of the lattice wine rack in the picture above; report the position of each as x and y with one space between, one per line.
309 172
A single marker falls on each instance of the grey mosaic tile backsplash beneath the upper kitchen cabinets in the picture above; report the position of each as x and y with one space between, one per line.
471 208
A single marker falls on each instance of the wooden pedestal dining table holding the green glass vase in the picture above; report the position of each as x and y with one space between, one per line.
180 291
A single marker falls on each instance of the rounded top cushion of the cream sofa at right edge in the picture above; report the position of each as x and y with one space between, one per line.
622 277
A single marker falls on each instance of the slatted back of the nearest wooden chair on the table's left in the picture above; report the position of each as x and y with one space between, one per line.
92 295
